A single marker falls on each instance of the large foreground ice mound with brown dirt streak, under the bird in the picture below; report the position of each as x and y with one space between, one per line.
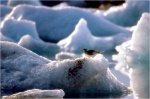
26 70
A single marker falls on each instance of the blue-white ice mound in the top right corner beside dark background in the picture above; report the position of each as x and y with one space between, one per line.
127 14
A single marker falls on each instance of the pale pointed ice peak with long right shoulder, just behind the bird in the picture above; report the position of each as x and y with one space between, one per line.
81 38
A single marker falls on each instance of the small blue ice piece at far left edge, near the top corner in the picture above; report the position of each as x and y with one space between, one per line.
4 10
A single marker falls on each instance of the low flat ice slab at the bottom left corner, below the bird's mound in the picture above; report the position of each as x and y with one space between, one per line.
36 94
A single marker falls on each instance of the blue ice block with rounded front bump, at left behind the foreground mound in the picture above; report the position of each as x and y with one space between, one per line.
25 34
